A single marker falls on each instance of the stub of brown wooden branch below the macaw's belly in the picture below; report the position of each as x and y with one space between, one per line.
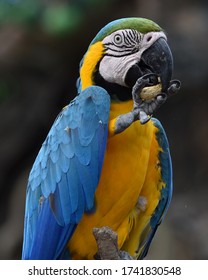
107 242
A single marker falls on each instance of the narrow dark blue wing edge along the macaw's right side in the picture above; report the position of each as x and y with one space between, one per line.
166 192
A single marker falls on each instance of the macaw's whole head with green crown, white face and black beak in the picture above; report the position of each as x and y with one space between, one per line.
123 51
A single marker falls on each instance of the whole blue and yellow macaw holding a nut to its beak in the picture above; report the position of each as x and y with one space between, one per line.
105 161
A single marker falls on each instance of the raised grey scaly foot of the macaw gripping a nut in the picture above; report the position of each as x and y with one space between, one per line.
143 109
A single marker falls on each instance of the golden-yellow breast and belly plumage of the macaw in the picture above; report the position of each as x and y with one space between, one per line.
130 164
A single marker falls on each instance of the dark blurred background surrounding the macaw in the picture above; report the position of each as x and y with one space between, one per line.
41 45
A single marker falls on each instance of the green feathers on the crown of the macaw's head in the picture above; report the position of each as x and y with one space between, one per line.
142 25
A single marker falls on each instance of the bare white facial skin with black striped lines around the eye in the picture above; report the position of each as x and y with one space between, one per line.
124 49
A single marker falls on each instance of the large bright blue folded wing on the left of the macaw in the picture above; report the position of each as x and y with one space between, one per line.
65 174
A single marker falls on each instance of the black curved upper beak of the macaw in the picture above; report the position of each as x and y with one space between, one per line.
158 59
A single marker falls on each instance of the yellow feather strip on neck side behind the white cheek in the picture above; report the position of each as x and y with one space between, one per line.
91 59
